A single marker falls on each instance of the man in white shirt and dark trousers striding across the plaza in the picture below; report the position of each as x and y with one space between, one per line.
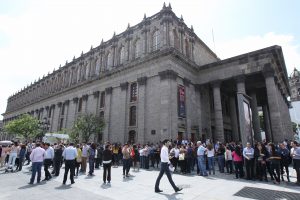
164 168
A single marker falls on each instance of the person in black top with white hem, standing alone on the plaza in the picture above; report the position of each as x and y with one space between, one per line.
107 158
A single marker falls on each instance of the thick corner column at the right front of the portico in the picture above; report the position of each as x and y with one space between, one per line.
273 102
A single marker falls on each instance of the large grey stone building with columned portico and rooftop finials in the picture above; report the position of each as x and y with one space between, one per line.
159 80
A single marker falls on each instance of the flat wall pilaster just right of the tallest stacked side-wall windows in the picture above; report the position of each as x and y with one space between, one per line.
141 115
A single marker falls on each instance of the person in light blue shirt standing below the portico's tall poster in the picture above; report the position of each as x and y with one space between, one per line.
248 154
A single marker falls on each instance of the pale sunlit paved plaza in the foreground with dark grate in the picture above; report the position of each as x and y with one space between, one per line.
140 185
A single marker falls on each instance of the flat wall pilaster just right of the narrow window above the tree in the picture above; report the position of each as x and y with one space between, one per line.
107 114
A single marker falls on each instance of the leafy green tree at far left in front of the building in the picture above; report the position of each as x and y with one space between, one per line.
25 126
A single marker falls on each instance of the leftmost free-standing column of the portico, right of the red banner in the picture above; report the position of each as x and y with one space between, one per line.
218 112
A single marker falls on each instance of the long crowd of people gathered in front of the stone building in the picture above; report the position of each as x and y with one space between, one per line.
262 161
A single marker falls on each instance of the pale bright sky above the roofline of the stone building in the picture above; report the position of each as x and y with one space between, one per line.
36 36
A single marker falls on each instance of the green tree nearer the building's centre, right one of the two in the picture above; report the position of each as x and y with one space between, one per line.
85 126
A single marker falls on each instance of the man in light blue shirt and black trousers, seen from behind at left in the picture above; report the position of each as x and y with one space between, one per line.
69 154
